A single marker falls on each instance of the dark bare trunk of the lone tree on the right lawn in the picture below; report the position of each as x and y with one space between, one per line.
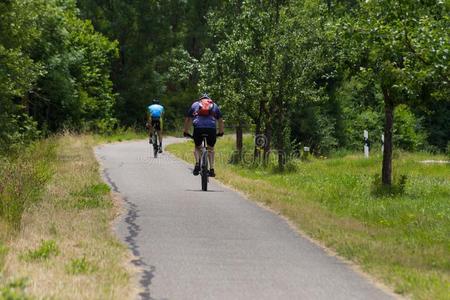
386 172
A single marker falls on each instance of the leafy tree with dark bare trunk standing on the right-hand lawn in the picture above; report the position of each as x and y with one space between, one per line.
403 48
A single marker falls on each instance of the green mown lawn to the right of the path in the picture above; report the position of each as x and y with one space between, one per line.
401 236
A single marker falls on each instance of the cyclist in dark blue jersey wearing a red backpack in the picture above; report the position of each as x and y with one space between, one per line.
204 114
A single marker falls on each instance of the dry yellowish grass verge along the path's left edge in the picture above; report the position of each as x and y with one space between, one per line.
76 215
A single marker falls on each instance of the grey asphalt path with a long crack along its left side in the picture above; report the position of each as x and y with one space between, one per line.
191 244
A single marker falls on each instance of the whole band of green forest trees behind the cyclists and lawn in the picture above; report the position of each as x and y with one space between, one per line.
313 73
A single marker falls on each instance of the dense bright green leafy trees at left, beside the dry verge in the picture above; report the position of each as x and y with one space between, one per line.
54 71
